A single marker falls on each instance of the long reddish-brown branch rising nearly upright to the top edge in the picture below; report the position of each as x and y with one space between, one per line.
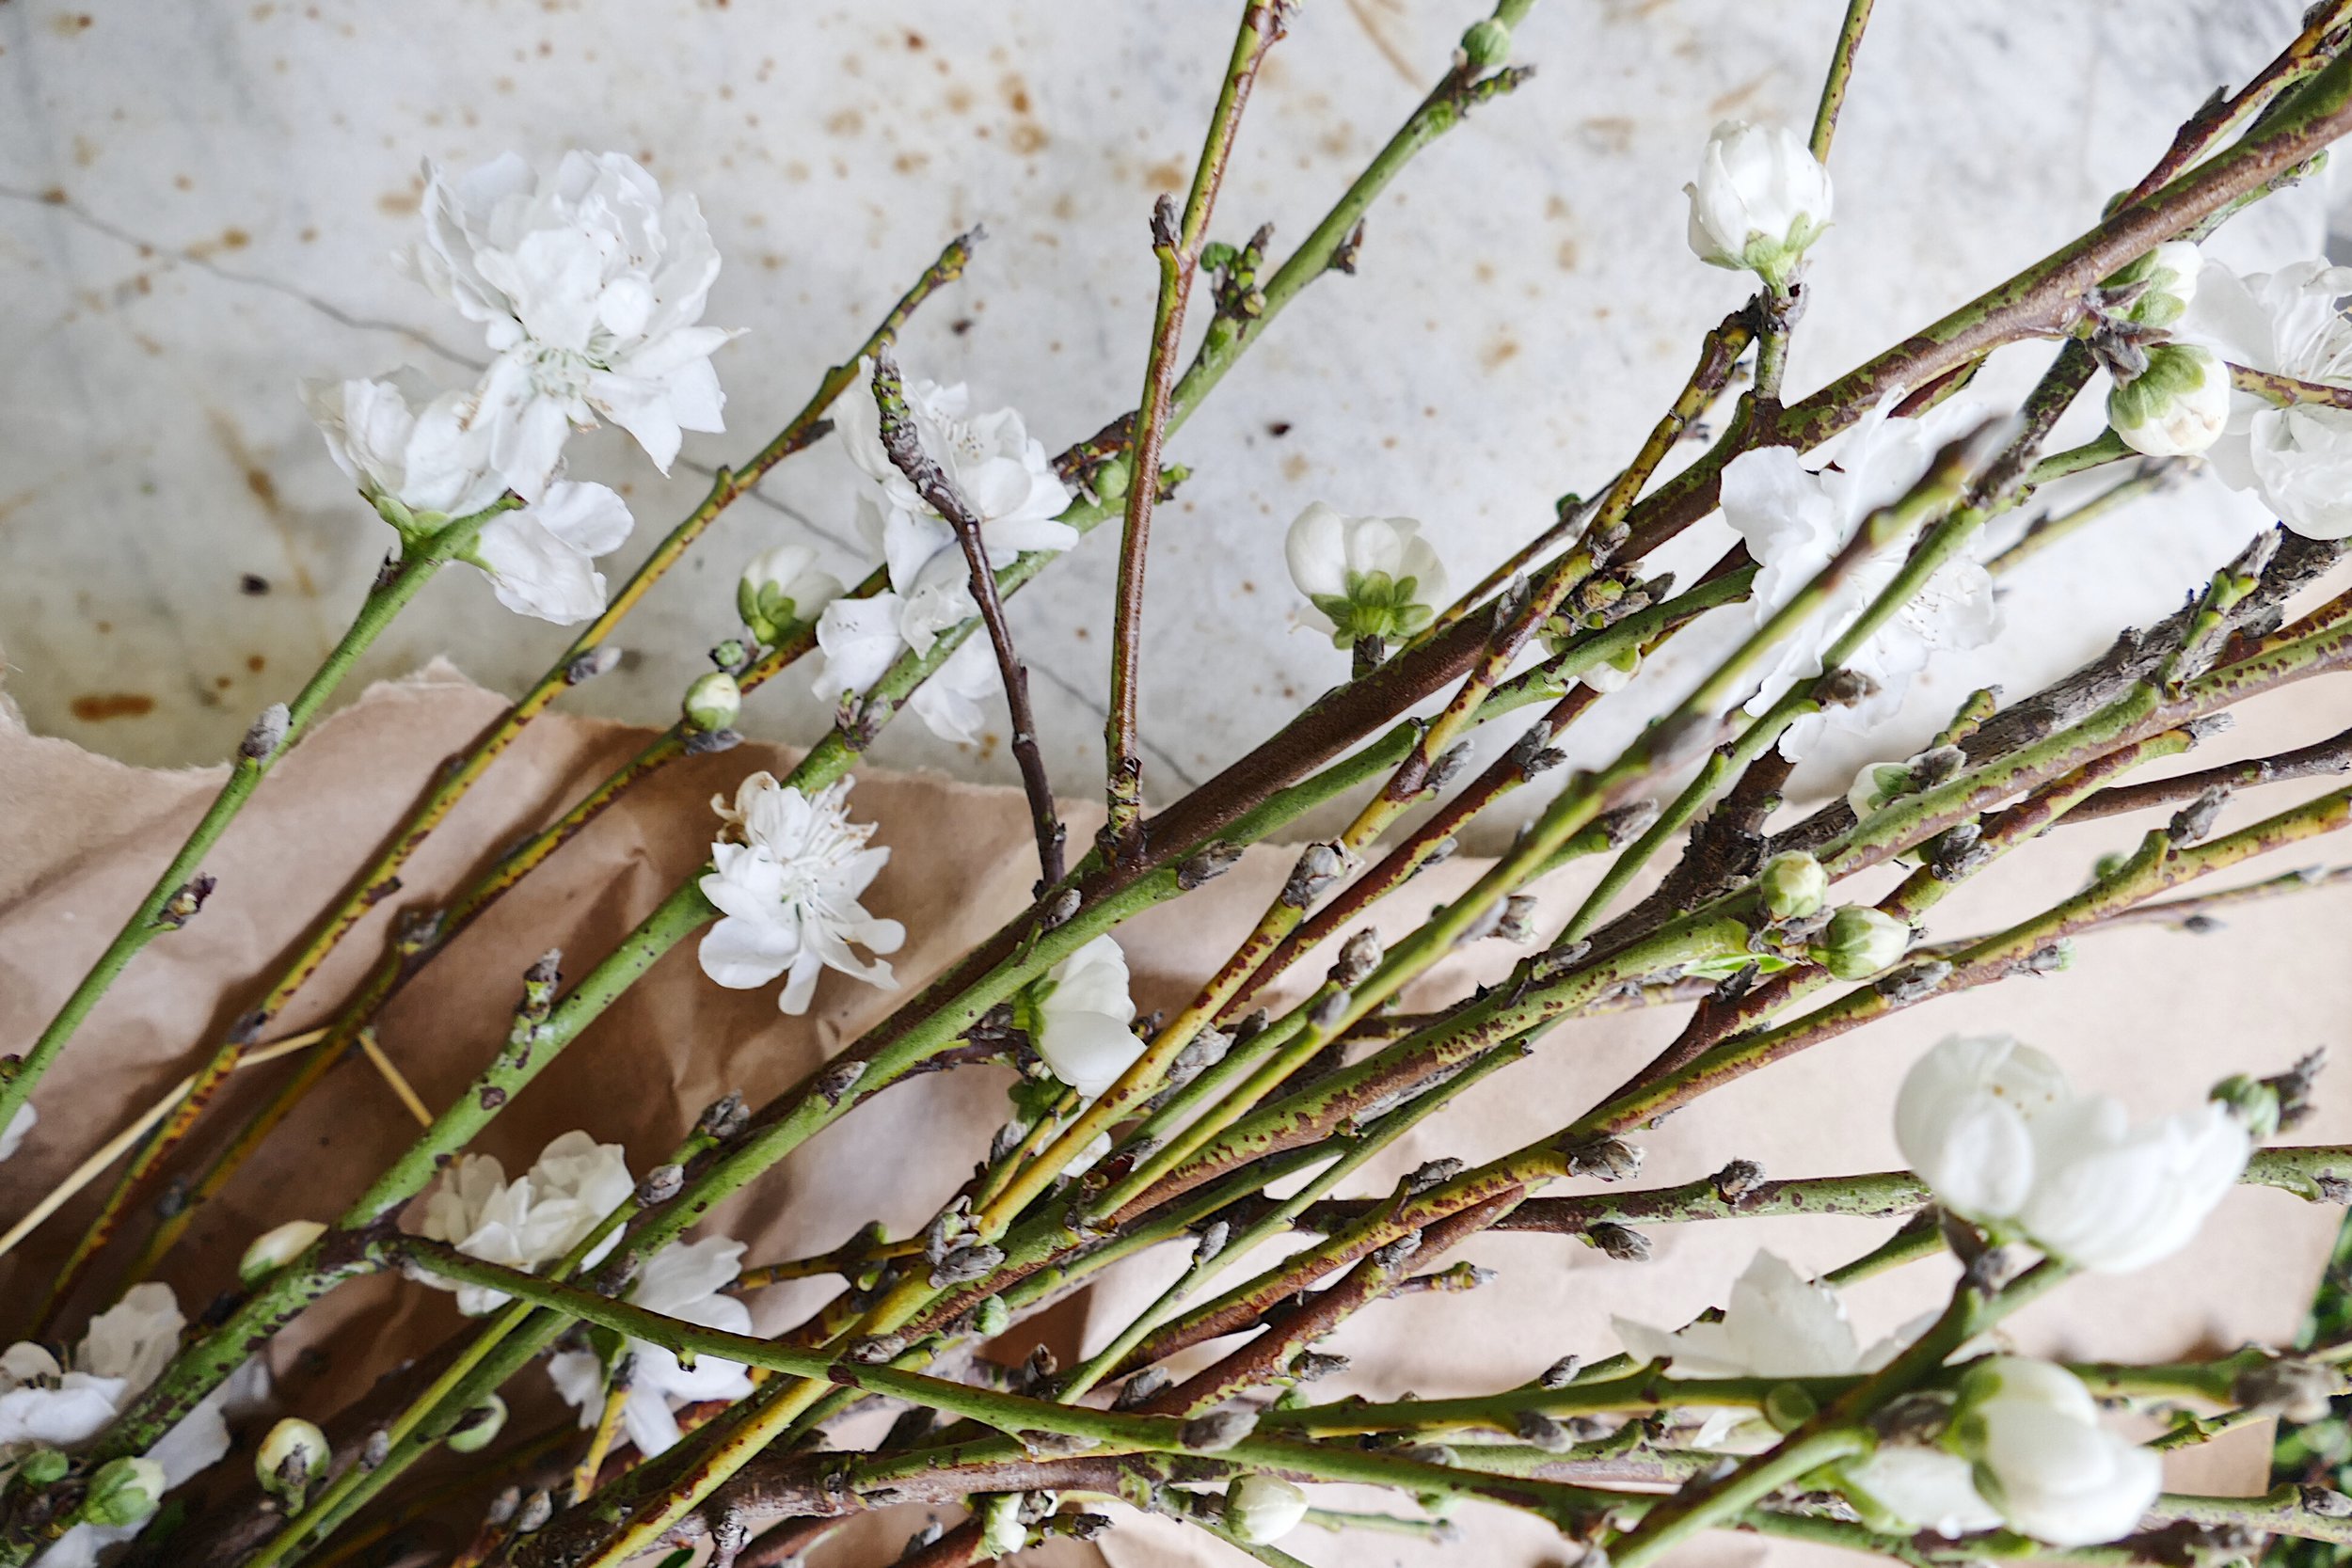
1177 248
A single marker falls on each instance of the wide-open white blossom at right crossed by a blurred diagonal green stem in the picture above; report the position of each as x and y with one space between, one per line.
1796 518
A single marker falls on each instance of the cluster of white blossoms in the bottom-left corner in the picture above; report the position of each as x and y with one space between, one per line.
53 1407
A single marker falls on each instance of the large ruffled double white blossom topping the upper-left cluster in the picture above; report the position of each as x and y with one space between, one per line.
589 288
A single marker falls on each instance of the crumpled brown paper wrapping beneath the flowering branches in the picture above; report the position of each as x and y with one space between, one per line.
2146 1014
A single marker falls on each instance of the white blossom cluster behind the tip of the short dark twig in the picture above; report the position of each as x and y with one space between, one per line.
1010 485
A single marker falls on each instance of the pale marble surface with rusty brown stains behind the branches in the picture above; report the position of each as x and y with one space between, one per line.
196 206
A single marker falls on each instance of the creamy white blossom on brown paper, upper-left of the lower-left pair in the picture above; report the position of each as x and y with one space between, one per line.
530 1221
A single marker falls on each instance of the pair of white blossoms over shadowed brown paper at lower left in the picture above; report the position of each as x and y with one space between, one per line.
537 1219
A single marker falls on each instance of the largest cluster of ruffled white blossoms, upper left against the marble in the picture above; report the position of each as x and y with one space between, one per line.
589 288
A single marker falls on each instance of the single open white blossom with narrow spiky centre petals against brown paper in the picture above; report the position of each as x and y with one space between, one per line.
789 873
